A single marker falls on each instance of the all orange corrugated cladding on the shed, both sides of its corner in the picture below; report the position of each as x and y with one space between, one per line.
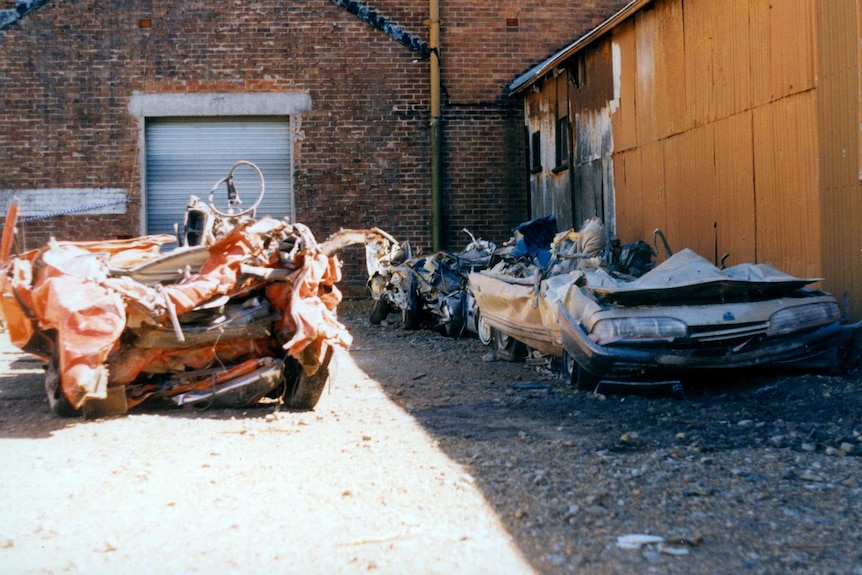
737 132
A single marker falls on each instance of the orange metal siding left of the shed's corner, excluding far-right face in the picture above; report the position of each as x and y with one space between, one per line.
709 83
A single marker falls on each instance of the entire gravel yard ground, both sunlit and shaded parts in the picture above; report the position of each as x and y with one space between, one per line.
425 457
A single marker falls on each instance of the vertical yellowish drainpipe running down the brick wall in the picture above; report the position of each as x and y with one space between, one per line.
436 129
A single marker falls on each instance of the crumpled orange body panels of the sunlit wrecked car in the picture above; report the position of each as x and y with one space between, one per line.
74 288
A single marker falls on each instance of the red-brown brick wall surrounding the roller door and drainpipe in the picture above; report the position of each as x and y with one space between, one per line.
70 68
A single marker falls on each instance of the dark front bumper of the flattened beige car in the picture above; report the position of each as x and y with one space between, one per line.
814 349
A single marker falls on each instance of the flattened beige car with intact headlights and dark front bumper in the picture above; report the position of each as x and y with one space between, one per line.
608 314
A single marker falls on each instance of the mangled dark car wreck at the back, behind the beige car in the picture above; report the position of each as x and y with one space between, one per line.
426 290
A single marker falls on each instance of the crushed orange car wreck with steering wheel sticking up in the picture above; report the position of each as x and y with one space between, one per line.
240 310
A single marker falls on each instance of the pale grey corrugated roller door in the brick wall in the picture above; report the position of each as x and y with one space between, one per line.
189 156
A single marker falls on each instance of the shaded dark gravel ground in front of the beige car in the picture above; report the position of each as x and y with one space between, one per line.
757 475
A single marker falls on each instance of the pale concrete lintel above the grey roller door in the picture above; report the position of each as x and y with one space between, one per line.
219 104
